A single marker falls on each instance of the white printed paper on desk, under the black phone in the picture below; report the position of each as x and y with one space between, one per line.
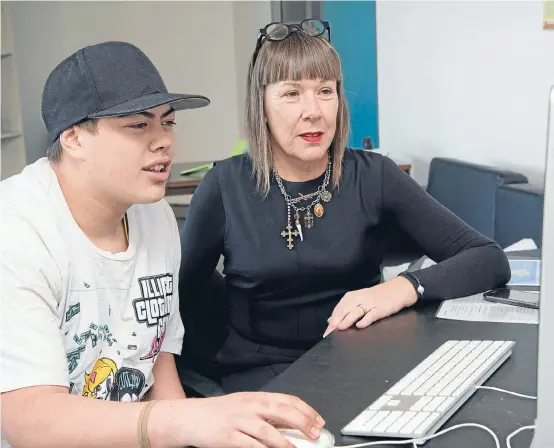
475 308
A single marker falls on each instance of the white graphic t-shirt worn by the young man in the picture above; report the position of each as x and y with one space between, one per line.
74 315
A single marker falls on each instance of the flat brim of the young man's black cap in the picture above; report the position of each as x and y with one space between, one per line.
176 100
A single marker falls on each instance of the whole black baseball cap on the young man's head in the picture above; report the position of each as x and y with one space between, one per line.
104 80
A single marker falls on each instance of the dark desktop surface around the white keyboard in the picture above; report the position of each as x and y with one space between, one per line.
348 370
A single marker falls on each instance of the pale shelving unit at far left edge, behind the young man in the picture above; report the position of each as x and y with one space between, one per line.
12 156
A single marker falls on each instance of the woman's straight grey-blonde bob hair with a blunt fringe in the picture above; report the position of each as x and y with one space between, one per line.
297 57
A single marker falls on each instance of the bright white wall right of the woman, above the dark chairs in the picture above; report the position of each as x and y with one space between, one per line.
468 80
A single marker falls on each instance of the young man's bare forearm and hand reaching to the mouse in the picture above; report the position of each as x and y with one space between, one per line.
45 416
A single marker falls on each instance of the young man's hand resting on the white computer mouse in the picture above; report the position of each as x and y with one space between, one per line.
246 420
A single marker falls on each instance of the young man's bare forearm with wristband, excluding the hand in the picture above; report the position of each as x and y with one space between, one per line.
44 416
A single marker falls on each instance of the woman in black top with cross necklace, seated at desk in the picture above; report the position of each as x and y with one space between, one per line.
304 224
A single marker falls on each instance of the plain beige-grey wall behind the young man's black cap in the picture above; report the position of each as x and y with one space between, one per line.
191 43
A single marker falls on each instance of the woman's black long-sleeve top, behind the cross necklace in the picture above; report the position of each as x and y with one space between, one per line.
280 299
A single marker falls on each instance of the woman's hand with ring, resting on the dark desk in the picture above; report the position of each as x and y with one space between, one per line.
367 305
